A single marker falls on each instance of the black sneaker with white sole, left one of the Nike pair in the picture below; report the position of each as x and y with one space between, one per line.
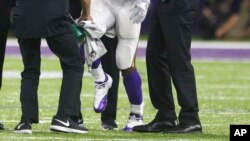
23 127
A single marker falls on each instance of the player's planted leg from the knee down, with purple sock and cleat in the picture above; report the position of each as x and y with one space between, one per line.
131 80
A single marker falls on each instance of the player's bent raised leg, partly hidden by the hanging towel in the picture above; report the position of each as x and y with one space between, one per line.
102 15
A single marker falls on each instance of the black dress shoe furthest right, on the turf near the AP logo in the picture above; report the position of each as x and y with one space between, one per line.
185 128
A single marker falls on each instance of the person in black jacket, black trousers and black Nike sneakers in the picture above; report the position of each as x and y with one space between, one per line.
47 18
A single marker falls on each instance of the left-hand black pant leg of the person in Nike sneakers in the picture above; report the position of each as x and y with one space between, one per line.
30 51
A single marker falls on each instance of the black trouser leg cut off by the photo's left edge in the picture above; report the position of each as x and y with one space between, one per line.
4 27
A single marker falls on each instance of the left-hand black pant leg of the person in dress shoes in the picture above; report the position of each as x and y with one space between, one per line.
159 79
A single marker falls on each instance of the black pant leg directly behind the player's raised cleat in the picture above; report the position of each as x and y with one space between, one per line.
110 67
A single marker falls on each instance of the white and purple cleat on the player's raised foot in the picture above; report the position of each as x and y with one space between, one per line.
101 91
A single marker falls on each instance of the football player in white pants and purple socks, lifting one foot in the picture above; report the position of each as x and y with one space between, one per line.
122 18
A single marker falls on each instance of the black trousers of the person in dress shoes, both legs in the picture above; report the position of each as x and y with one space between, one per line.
168 61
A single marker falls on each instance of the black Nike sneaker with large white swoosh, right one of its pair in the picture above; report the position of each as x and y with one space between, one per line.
66 125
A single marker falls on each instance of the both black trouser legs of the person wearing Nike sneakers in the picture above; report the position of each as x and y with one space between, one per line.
66 49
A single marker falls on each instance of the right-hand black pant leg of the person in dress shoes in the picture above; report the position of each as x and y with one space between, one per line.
177 35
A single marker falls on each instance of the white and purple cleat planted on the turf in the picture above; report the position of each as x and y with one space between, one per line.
134 120
